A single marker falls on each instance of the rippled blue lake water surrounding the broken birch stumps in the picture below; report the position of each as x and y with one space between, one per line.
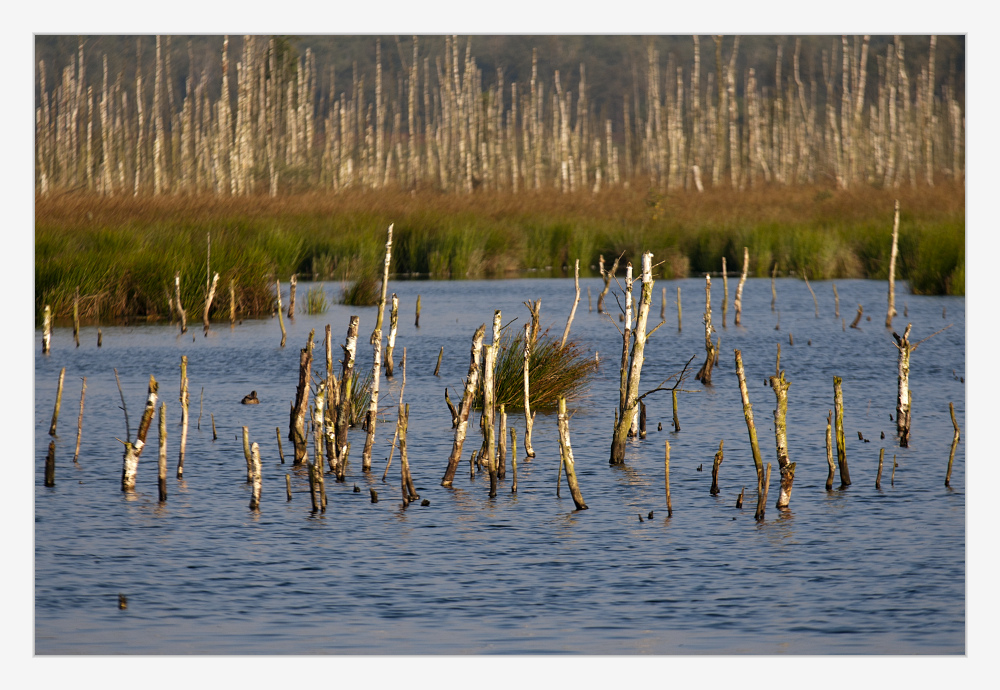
857 571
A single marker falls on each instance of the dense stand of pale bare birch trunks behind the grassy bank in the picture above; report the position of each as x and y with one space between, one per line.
441 123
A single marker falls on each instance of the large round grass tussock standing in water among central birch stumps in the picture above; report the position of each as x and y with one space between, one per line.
555 371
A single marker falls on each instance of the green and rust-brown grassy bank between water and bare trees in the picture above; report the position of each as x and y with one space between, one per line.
123 252
